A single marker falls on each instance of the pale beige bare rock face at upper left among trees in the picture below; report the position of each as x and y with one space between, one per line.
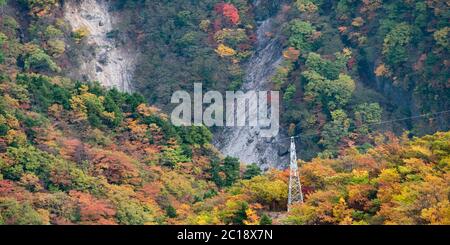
111 65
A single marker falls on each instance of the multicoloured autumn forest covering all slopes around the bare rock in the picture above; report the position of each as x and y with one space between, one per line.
73 151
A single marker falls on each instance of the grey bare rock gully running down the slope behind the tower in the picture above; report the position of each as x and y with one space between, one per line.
246 142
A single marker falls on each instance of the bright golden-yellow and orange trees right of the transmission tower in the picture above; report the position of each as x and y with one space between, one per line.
391 184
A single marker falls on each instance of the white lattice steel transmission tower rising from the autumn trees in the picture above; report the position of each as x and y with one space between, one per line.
295 188
